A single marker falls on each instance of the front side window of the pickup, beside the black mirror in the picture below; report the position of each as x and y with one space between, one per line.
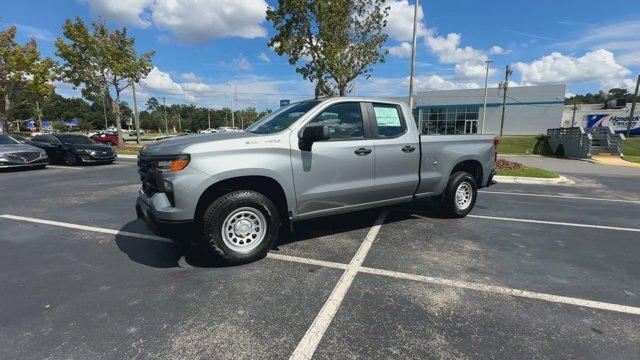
344 121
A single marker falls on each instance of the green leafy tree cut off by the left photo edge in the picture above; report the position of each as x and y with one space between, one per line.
25 77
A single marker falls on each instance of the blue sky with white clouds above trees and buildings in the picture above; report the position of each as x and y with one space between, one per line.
201 45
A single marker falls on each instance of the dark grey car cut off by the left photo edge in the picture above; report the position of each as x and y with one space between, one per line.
16 154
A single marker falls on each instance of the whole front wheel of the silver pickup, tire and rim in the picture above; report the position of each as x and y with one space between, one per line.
241 226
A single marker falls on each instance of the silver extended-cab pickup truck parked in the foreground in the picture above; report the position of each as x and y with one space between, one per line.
309 159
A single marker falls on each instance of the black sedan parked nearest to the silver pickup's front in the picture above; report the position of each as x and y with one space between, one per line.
73 149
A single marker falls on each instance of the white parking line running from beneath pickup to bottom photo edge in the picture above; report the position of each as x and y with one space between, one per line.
307 346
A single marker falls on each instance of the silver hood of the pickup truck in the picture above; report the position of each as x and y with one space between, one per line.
175 145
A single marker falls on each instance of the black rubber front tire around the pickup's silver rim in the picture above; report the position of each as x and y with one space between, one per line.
223 209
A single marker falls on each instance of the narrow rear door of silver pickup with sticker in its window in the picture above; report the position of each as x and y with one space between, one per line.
397 153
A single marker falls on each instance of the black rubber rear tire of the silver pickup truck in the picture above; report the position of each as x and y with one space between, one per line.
450 206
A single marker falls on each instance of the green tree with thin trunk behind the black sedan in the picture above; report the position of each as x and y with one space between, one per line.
101 61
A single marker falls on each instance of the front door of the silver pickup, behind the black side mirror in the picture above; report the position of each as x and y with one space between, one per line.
336 173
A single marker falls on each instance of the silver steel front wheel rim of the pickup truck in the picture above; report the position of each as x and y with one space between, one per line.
244 229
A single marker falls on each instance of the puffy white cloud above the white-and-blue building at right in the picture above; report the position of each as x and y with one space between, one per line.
594 66
